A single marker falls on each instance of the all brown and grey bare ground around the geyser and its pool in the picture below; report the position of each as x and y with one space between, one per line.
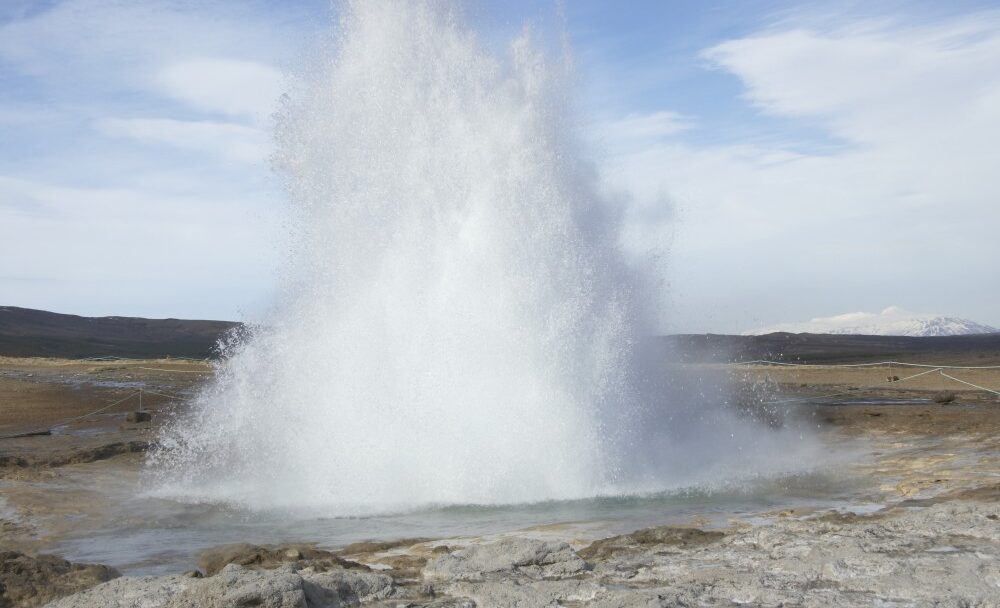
927 533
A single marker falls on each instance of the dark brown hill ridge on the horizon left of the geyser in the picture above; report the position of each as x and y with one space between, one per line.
25 332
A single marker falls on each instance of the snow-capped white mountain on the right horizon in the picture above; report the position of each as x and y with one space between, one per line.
893 321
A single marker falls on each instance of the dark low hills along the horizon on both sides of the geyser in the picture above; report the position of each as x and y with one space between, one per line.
37 333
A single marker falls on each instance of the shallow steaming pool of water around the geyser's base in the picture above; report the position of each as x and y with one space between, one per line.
140 535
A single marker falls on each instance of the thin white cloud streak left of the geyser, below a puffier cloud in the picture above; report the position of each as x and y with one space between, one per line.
223 140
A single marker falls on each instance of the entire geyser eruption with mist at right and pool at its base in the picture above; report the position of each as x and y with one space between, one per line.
458 323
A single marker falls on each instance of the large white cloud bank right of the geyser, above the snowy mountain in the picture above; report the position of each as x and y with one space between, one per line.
903 208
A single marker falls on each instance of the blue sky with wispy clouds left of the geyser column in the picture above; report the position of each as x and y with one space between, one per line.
135 135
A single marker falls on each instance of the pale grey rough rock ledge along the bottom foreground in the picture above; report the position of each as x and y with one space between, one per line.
944 554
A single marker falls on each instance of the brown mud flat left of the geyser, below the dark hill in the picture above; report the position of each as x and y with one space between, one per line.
58 457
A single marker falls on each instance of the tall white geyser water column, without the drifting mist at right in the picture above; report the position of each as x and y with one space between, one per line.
457 322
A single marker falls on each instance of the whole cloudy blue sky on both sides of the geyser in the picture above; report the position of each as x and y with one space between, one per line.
794 159
